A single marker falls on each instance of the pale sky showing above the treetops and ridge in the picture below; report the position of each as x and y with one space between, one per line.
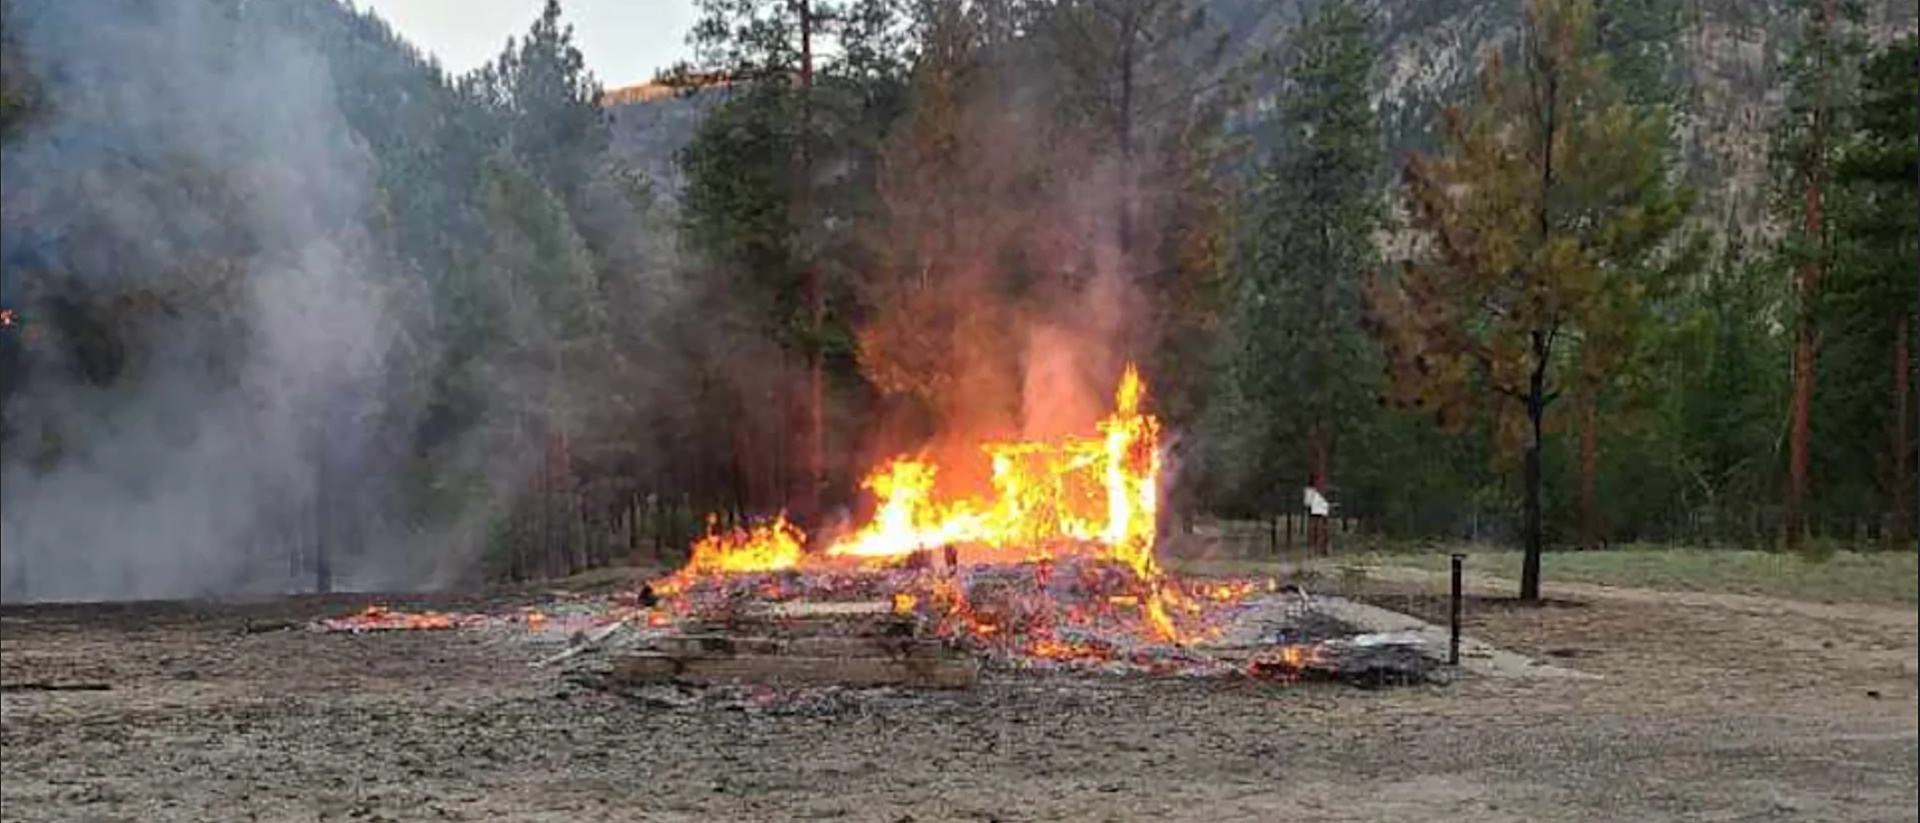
623 41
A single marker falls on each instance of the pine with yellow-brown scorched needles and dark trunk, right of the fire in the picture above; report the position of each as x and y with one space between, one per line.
1543 223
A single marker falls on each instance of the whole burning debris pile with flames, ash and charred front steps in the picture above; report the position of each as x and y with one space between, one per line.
1051 569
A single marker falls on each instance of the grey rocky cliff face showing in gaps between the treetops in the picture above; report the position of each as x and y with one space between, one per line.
1729 70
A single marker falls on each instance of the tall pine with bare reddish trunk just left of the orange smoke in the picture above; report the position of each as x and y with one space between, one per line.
823 110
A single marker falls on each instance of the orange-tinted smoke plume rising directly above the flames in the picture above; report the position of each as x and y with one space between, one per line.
1007 302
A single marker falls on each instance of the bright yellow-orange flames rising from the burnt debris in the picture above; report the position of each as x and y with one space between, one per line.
1072 496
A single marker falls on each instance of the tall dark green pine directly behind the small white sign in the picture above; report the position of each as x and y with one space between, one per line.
1299 356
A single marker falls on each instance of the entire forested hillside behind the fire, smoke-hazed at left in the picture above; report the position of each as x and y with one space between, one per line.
291 306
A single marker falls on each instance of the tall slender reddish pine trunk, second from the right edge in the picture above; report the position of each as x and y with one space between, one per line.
1808 291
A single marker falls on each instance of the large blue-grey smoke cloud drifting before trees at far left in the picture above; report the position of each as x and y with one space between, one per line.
172 463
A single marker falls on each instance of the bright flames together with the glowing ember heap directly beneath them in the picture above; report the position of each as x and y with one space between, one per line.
1055 561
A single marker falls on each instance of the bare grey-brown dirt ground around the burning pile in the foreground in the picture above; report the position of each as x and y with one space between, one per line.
1704 711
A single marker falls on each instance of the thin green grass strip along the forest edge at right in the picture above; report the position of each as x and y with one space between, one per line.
1844 576
